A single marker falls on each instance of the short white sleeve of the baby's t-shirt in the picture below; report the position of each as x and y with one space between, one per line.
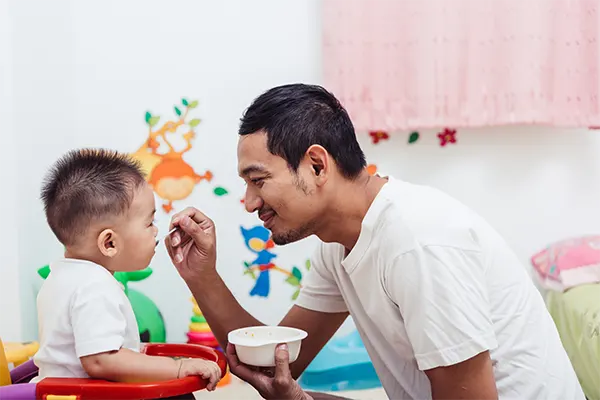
98 323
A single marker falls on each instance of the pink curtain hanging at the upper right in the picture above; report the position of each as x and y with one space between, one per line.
402 64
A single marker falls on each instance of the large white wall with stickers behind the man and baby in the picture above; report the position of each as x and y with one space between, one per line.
84 74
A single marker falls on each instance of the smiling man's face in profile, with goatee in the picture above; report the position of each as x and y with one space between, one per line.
286 202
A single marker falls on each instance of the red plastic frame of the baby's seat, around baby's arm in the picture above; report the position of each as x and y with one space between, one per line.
93 389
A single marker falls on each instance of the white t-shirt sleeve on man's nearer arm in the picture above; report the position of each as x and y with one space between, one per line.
442 296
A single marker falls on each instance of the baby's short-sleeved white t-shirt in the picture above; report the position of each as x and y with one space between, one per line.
82 310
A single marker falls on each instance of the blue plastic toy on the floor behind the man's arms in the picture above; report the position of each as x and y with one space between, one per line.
343 364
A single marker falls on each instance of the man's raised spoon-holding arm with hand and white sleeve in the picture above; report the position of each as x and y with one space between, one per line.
193 250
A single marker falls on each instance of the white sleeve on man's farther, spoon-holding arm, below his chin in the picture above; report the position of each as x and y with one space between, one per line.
320 292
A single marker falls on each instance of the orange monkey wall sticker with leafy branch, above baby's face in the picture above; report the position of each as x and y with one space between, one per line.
170 176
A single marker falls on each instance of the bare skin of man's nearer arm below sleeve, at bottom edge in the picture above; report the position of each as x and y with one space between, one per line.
472 379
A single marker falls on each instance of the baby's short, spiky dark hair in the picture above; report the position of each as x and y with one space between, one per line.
86 185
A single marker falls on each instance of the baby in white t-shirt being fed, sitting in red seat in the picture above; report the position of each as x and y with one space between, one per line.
101 209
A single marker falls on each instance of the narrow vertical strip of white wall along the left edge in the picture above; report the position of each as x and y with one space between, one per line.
10 304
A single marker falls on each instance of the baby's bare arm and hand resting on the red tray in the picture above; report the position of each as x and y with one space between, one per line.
130 366
